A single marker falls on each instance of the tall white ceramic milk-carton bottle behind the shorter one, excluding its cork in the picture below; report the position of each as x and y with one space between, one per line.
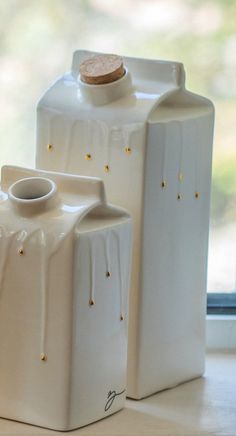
150 140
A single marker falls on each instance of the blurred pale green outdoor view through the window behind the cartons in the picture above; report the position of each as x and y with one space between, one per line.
37 38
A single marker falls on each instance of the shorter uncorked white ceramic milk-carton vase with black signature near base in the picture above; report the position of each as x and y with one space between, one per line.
64 271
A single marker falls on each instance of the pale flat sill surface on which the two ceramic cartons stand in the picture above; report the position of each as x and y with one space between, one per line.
206 406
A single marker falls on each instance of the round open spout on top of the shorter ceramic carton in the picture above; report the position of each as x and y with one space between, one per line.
33 195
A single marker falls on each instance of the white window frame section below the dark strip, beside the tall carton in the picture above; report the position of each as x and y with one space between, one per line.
221 332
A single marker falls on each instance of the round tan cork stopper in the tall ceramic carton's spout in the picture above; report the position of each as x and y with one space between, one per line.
102 69
